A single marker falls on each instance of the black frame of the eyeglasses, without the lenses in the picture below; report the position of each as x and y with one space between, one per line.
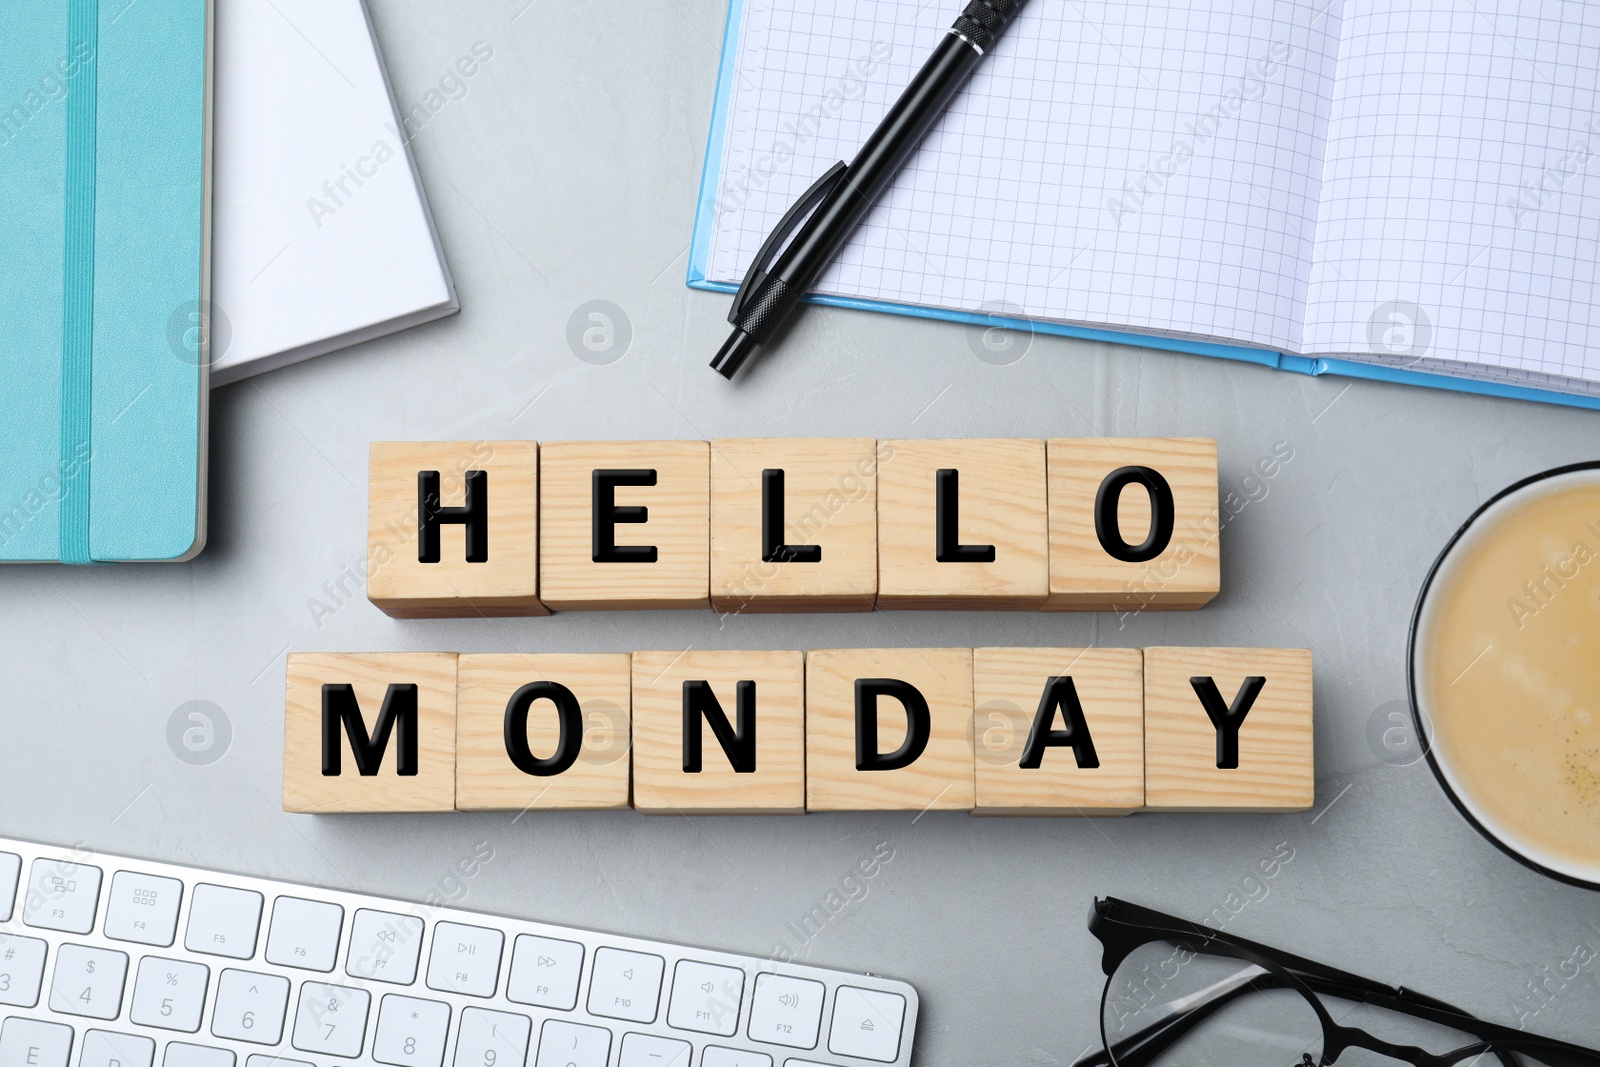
1122 929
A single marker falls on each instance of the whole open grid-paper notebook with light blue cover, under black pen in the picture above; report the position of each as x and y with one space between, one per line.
1399 190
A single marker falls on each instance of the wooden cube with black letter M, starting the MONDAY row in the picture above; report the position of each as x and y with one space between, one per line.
346 700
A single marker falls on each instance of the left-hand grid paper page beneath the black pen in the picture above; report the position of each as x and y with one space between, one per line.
1127 164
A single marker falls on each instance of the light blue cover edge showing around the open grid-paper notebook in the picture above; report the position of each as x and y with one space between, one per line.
700 255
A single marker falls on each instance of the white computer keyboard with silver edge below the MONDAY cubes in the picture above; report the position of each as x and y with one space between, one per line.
127 964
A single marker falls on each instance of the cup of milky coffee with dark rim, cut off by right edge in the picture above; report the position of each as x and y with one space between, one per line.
1505 671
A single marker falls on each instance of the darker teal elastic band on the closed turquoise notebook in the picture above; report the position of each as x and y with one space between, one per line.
78 334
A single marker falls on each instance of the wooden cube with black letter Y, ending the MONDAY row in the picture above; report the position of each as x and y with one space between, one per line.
1186 757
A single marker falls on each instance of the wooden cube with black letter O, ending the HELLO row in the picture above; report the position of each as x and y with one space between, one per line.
1166 565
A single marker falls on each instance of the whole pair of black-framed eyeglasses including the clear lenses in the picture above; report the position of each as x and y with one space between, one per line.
1180 994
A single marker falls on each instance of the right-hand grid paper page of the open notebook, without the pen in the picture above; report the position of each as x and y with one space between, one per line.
1462 201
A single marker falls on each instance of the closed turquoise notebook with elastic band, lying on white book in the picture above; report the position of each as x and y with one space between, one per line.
105 183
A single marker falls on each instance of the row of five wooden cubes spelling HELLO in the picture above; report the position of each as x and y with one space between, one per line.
481 529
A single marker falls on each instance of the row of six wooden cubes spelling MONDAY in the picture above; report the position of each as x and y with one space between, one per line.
1098 732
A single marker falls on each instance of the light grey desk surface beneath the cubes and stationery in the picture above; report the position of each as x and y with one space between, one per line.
569 174
